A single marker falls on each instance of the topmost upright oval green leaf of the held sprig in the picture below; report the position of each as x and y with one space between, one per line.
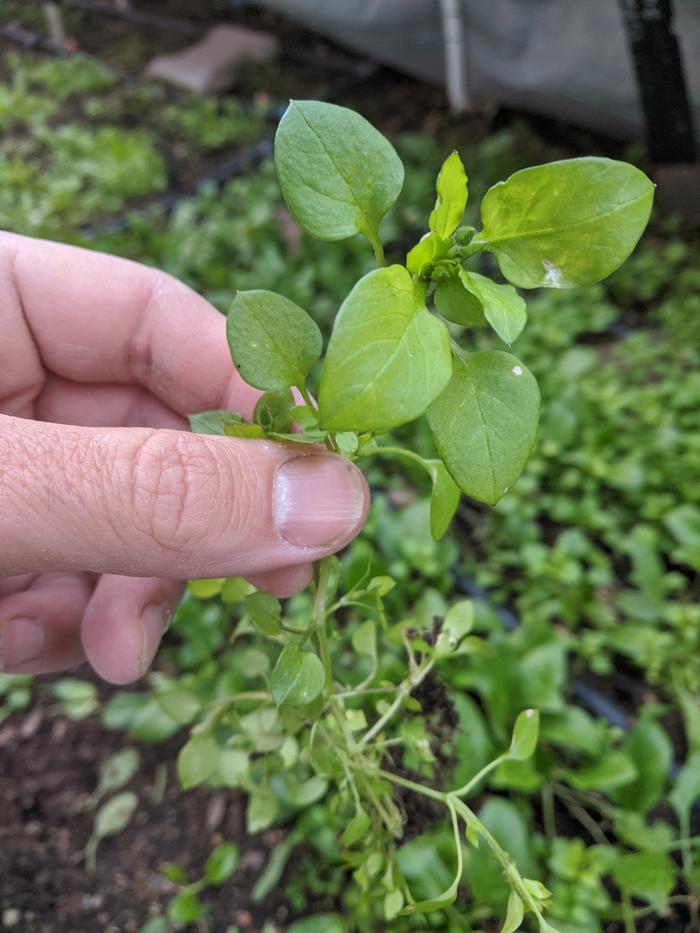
338 174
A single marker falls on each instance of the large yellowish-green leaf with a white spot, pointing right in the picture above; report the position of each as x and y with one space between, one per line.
566 223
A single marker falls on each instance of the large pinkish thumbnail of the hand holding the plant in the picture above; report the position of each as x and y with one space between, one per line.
319 500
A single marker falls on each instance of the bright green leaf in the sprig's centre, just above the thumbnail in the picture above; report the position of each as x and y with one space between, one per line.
388 357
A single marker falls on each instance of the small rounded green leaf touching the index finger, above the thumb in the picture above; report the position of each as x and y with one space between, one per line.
274 343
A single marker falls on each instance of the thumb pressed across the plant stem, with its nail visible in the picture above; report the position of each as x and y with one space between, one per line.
166 503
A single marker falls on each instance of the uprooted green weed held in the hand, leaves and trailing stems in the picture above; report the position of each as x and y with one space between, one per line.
400 348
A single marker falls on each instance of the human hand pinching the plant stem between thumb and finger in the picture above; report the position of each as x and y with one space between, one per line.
107 503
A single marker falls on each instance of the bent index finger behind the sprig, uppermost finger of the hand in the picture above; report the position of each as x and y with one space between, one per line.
98 318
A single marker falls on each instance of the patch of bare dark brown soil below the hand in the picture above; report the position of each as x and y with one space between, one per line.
48 768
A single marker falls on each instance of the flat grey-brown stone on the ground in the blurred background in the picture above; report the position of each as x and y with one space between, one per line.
211 64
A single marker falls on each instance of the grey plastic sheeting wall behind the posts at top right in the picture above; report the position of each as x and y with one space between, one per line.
567 59
